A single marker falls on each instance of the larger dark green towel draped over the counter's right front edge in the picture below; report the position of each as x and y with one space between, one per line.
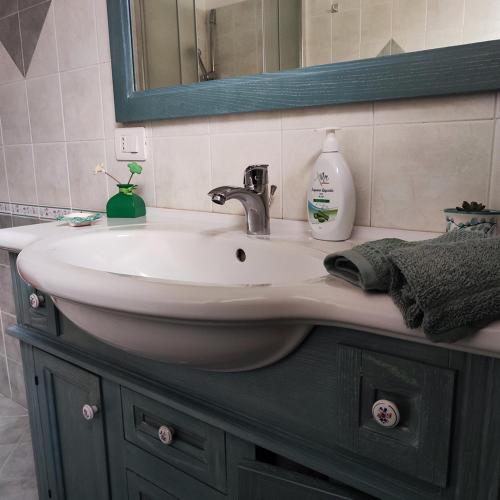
451 289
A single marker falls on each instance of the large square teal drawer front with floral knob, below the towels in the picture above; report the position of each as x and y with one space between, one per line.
423 394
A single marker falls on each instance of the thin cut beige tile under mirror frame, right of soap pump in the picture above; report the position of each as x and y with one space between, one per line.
430 109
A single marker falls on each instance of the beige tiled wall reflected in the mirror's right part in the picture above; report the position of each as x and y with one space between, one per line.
356 29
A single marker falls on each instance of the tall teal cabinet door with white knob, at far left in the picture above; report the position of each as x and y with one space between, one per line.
74 446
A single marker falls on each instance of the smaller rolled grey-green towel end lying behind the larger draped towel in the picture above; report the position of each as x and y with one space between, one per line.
368 266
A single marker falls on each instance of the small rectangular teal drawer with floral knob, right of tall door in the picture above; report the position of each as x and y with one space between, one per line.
195 447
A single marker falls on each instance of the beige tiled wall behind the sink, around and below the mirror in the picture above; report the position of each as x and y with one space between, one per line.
410 158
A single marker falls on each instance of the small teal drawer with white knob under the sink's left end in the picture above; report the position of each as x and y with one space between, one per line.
35 309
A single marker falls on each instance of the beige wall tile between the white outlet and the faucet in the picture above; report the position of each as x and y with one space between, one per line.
182 172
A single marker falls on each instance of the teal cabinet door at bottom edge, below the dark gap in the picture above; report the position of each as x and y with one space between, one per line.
257 481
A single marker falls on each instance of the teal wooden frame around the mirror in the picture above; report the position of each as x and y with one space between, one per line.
451 70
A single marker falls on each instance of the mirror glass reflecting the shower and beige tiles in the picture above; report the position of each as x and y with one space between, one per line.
186 41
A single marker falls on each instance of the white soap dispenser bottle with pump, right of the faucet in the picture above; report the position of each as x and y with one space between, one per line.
331 200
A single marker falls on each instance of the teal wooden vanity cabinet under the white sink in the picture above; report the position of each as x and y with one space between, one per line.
107 424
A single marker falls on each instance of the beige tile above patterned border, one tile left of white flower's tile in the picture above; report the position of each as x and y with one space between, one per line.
51 170
